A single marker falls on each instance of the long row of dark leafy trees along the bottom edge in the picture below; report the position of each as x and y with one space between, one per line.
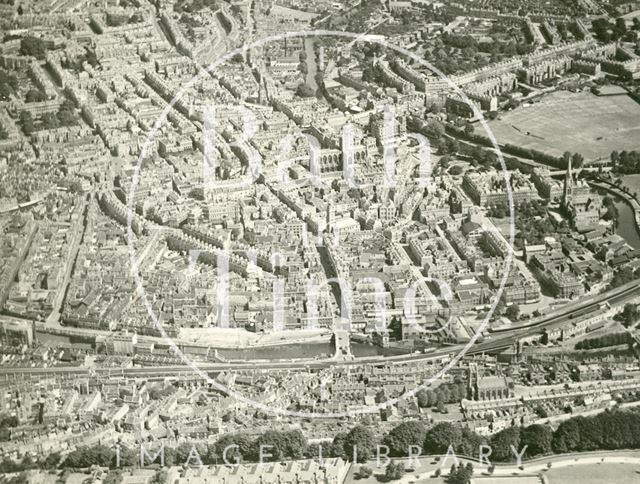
617 429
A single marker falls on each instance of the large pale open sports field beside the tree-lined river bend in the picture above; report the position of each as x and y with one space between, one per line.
577 122
